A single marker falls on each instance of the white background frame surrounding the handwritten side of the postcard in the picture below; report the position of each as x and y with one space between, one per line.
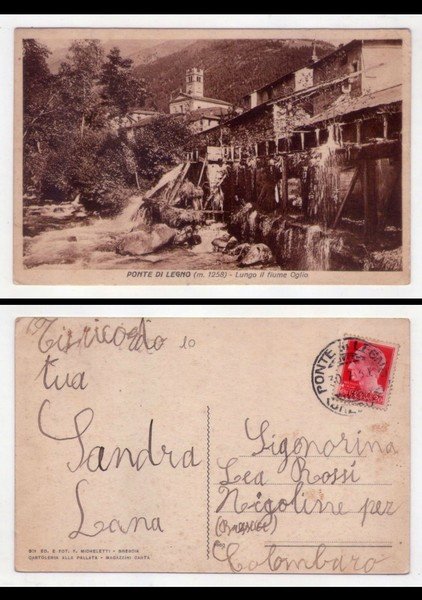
7 574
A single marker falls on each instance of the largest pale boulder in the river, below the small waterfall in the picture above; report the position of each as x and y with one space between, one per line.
147 240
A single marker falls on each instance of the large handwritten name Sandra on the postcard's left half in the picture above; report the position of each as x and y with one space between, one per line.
98 458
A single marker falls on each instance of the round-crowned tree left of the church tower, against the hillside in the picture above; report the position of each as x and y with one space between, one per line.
121 90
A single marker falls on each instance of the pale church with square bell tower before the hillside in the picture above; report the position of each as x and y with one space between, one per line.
193 99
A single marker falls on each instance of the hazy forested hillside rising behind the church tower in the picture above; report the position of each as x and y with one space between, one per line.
232 68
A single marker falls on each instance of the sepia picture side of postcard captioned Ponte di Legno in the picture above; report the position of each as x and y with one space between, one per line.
204 156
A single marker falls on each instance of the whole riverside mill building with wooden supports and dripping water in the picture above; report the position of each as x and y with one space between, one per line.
320 150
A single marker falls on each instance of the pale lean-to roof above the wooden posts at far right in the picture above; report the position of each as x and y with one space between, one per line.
345 104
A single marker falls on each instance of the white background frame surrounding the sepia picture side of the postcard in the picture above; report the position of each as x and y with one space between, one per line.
7 25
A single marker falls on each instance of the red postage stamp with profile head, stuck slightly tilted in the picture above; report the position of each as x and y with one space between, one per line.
365 376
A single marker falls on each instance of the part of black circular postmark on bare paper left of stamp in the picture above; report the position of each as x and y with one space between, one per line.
326 377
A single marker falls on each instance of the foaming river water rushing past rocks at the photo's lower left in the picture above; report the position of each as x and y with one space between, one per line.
73 240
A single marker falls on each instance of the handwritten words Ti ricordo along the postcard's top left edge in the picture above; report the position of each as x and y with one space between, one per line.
53 335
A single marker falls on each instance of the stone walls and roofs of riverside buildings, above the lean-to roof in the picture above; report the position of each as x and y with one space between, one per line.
273 113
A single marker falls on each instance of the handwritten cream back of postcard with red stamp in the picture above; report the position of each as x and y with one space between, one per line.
212 445
